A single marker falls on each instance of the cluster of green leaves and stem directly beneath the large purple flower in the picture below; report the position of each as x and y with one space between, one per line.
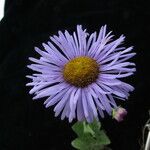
90 137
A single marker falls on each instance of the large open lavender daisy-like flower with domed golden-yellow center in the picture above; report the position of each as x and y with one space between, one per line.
80 73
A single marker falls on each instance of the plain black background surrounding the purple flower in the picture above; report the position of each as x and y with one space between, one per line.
26 124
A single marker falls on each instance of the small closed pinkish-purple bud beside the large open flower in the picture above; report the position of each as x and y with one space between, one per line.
119 114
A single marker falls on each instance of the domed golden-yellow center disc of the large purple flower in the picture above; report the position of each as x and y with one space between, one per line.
81 71
